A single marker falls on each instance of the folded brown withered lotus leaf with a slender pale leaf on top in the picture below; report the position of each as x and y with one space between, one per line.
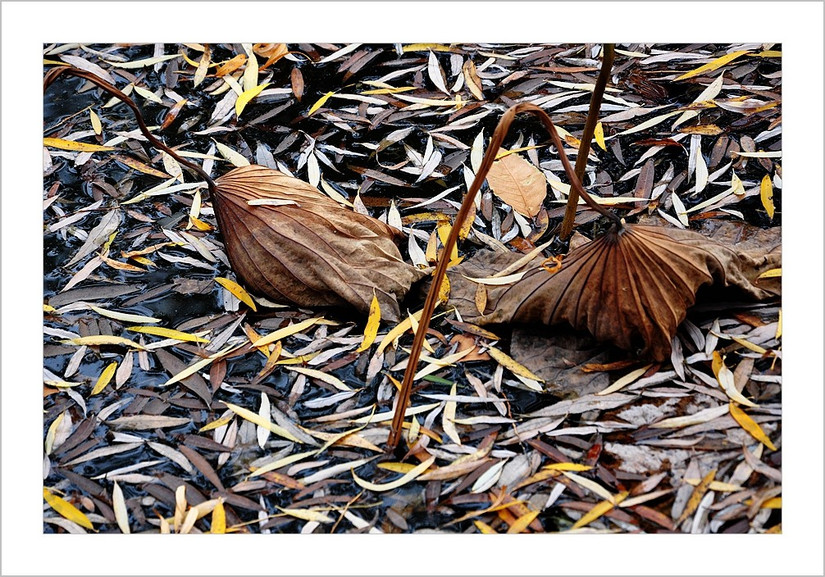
304 248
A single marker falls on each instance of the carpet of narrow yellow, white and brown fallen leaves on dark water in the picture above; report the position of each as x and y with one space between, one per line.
177 401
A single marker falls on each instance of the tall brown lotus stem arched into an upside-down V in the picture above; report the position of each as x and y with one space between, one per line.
440 270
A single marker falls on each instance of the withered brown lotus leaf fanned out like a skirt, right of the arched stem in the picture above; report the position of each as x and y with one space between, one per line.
631 286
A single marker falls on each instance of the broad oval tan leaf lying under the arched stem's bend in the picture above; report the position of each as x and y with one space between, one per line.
518 183
